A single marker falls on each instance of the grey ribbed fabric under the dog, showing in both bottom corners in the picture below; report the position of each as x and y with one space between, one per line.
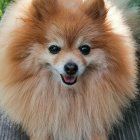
129 129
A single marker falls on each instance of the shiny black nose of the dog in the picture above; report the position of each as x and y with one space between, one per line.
71 68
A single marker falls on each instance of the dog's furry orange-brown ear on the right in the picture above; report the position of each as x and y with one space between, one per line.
95 8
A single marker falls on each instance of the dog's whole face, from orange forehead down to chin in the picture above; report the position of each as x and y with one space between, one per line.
69 49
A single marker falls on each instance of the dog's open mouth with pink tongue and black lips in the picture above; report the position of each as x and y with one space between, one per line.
69 79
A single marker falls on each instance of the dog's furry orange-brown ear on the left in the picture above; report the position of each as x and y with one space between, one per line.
44 8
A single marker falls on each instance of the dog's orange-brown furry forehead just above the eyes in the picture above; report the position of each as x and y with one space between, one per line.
67 32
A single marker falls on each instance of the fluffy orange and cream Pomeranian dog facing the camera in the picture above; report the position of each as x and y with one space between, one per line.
66 71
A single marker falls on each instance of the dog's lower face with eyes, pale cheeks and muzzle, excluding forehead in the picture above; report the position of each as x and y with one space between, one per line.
67 60
